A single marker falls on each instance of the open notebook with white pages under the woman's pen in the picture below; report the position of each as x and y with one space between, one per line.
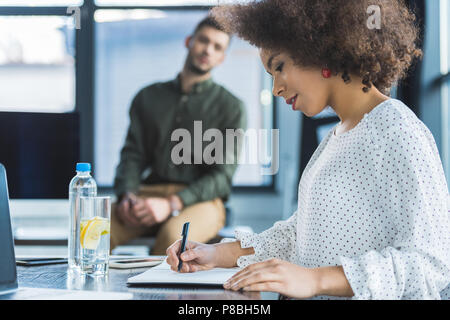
163 274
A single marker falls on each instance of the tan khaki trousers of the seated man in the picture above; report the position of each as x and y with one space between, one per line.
206 219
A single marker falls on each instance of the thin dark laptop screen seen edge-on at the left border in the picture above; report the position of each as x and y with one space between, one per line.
8 275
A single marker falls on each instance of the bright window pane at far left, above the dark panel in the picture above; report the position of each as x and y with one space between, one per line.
37 63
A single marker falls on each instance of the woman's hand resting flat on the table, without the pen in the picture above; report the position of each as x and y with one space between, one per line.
276 276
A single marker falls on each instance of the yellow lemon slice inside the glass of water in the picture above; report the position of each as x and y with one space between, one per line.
91 230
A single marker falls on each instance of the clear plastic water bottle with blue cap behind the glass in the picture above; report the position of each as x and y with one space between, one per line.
82 185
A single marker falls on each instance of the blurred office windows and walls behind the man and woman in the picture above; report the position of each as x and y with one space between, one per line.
67 81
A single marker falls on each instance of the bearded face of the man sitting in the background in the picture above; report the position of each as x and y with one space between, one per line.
206 49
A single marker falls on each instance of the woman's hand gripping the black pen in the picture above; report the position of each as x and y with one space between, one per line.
196 257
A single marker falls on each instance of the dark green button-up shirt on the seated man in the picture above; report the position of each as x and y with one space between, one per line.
155 113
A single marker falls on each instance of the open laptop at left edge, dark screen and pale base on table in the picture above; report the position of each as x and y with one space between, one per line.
9 287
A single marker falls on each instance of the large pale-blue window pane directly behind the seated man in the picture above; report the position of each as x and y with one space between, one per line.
136 47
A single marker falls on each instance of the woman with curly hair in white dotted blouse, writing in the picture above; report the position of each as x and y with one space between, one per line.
372 219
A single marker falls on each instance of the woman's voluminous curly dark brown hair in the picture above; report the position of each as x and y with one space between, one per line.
331 33
